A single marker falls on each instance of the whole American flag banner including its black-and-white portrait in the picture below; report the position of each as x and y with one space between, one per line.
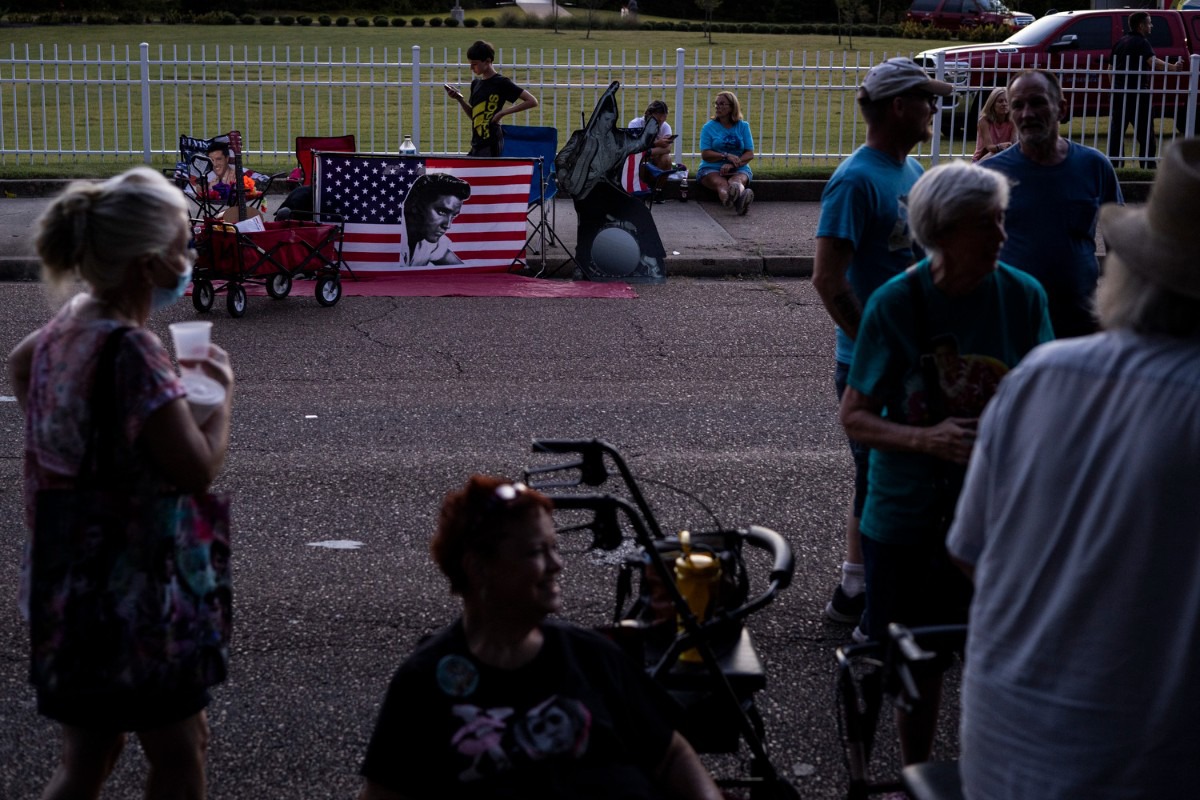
415 213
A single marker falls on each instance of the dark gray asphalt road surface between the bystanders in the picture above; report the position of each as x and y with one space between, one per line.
351 424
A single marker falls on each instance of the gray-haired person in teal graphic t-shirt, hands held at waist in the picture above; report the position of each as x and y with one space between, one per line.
933 346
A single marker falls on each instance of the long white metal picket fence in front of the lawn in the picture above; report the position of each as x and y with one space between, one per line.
97 104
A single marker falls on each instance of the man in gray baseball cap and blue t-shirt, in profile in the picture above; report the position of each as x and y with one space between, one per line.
863 239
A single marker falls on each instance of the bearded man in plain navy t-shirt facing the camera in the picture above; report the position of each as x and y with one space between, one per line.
1058 190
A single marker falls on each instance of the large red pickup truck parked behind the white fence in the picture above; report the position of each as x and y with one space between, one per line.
1078 47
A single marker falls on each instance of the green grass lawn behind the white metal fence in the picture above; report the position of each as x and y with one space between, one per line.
783 115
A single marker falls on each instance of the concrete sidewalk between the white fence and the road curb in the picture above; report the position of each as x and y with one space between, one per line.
701 238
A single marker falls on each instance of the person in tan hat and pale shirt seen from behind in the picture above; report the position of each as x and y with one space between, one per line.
1081 524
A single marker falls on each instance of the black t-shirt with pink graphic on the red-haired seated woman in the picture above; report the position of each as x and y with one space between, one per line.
580 721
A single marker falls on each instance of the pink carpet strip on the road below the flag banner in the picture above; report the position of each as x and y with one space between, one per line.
479 285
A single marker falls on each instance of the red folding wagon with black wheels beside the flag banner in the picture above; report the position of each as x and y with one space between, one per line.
230 258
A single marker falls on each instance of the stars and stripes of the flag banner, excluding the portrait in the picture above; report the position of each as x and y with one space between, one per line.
370 190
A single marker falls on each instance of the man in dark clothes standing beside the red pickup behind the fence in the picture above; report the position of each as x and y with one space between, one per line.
1132 56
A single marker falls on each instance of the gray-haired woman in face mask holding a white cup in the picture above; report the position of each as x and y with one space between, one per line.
128 239
